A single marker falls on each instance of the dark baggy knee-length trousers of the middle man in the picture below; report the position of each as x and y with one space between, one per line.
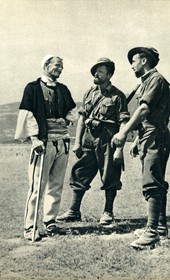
98 157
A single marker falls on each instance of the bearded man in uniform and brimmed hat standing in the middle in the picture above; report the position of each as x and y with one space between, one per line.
103 111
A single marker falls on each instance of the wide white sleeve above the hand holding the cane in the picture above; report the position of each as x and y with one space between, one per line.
26 125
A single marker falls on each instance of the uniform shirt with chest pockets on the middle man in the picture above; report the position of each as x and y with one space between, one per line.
109 108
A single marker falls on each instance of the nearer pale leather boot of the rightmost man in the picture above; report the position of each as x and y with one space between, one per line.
149 237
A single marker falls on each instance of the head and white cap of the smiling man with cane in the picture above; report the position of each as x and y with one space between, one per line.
54 68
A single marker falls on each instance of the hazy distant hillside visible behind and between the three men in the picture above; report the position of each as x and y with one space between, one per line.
8 120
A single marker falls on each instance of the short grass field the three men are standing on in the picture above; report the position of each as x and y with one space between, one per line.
88 251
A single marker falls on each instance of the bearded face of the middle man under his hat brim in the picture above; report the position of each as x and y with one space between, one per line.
101 76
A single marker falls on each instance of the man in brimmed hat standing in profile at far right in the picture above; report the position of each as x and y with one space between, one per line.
151 119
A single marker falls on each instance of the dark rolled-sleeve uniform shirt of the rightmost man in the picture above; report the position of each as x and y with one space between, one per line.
155 92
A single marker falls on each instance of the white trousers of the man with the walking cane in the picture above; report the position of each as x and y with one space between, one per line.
54 168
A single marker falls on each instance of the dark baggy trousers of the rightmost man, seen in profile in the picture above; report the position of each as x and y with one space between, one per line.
154 154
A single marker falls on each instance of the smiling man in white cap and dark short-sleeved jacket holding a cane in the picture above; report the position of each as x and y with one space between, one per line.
46 109
